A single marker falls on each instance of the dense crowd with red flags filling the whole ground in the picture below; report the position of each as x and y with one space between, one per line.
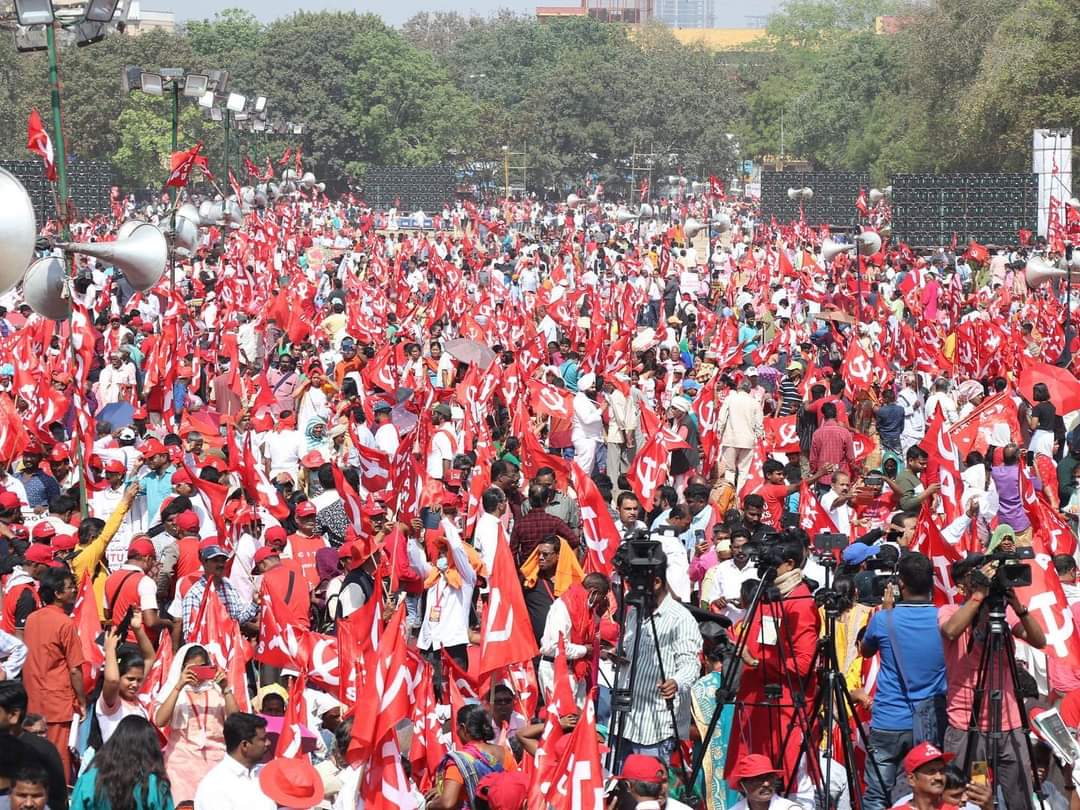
541 509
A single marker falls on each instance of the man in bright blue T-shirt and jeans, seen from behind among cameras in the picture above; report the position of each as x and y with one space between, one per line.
911 680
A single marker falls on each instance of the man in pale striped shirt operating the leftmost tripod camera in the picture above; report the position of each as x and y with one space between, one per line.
669 633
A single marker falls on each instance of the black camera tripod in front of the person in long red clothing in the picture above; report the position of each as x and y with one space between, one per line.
766 600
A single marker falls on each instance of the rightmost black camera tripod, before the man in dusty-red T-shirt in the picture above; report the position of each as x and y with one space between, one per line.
1000 653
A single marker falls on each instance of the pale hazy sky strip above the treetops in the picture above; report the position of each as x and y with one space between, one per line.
731 15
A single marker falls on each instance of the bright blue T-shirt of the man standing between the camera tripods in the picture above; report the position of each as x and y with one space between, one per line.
922 655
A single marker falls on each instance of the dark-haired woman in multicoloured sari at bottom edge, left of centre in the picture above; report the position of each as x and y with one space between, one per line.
462 771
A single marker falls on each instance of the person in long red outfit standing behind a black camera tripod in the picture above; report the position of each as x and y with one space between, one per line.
781 641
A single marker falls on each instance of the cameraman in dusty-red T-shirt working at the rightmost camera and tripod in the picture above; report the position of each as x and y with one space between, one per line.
964 630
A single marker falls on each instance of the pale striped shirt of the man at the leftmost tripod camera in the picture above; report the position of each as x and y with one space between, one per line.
650 722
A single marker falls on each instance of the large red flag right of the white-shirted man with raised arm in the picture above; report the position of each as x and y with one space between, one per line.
506 639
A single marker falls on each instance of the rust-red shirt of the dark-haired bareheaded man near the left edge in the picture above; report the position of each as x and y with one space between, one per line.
53 652
